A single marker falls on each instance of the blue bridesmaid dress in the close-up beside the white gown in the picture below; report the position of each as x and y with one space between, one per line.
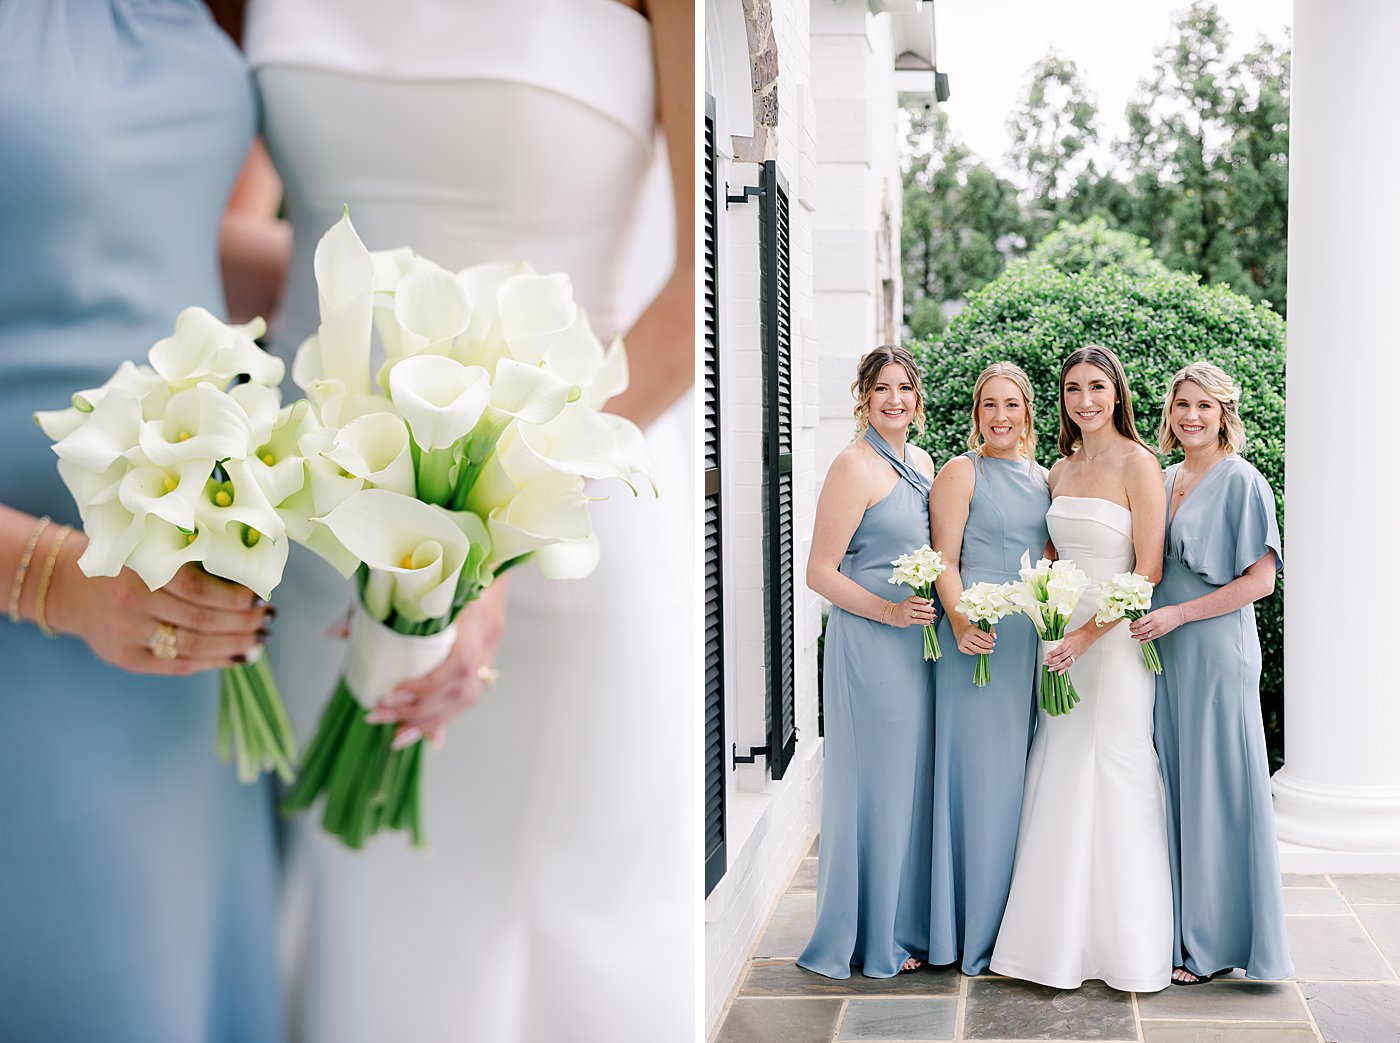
138 878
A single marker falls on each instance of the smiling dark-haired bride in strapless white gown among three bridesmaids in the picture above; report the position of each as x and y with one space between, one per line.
1091 895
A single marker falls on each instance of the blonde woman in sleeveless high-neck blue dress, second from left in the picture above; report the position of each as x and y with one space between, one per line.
988 509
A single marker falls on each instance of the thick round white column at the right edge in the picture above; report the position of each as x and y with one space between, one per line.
1338 796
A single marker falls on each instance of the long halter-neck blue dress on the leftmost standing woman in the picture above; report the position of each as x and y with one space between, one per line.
871 890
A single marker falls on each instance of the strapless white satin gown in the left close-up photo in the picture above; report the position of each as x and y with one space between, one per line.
558 899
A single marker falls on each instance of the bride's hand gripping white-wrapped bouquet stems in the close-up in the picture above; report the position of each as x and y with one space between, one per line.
423 708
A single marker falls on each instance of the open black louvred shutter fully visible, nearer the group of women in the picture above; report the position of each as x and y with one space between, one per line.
780 601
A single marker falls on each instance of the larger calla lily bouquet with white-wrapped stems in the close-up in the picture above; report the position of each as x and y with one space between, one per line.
467 454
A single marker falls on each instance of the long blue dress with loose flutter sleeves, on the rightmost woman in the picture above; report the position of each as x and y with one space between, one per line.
1210 734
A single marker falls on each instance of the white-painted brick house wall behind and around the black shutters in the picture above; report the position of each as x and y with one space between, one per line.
836 152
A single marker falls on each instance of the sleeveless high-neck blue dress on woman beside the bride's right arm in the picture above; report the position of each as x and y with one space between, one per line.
982 736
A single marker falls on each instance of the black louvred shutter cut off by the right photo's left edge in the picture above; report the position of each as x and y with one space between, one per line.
715 766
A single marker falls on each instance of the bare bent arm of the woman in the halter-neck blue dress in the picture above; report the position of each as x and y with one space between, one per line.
839 510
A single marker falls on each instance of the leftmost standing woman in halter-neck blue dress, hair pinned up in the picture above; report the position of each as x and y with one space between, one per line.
874 507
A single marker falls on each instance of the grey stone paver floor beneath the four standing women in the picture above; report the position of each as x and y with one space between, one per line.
1345 932
